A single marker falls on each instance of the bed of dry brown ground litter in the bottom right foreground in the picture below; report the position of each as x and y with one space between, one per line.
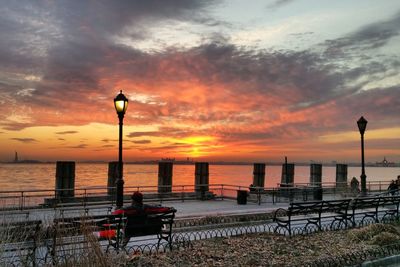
274 250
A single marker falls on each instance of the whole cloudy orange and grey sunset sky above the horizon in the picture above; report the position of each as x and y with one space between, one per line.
232 80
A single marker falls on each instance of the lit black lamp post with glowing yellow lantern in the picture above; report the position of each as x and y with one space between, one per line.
121 104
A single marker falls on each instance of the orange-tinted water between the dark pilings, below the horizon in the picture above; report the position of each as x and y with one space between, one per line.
41 176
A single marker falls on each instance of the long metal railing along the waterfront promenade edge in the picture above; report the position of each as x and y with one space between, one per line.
89 196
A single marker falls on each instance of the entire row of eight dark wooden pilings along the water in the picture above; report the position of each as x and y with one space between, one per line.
65 176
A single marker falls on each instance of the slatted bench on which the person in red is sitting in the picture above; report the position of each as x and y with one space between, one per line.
117 229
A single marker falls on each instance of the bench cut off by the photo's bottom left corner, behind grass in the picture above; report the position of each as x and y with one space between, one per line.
21 240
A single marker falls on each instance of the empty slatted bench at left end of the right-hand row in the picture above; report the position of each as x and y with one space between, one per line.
311 213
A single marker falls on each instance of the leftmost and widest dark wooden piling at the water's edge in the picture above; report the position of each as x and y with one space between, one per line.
65 179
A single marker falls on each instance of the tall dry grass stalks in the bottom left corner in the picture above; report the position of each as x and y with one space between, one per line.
74 247
